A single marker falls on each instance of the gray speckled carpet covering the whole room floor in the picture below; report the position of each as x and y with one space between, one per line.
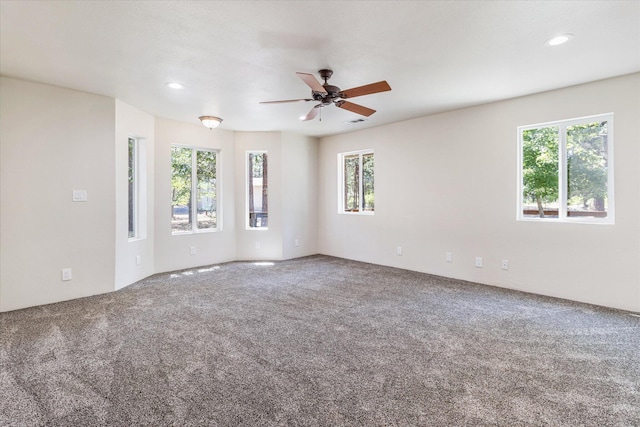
318 341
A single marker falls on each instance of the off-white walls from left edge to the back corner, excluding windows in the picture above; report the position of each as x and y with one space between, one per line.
79 141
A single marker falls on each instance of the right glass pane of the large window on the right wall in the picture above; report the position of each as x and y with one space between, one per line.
587 168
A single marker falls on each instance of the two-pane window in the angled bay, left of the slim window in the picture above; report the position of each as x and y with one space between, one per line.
194 189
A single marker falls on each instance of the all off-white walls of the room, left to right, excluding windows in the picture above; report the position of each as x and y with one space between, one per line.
443 183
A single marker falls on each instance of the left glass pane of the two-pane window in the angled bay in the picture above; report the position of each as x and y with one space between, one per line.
180 189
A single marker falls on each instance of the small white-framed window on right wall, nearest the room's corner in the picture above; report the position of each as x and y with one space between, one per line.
356 193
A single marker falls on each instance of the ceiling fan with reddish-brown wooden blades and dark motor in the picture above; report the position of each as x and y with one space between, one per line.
328 94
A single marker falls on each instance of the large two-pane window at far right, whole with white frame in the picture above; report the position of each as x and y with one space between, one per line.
566 170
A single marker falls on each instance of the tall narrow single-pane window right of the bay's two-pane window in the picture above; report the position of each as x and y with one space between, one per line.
257 189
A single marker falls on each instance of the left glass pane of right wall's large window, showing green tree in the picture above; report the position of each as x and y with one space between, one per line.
540 172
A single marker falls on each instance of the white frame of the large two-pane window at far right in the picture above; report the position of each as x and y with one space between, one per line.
562 168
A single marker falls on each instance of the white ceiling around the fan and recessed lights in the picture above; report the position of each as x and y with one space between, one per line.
436 55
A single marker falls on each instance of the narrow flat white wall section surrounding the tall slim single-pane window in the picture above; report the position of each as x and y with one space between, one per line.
259 243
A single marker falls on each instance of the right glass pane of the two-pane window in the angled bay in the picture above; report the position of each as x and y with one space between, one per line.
206 188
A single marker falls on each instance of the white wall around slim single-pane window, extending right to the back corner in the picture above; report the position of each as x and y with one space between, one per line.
292 195
